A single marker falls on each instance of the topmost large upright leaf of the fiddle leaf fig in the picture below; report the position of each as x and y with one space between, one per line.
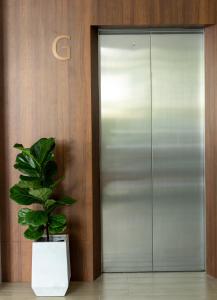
42 149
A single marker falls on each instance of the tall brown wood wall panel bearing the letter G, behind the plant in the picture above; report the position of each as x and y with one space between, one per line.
47 97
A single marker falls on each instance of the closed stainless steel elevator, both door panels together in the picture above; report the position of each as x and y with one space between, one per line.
152 149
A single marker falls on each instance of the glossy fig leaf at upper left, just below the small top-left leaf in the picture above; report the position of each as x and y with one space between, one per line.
26 165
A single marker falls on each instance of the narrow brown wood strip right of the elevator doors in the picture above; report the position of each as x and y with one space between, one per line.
211 148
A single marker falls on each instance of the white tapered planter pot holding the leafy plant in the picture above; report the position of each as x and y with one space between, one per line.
51 270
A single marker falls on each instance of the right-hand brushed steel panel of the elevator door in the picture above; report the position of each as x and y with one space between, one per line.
178 151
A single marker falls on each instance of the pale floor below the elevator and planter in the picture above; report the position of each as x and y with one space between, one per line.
152 286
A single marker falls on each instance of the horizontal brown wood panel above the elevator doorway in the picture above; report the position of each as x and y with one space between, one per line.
155 12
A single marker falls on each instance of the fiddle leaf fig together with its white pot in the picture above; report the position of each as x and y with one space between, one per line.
50 250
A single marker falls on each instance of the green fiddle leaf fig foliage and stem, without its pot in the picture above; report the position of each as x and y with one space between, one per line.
36 185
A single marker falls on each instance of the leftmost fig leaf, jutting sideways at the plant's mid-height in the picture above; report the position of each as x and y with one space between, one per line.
22 196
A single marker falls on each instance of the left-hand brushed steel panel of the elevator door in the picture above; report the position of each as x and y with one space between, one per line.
126 153
